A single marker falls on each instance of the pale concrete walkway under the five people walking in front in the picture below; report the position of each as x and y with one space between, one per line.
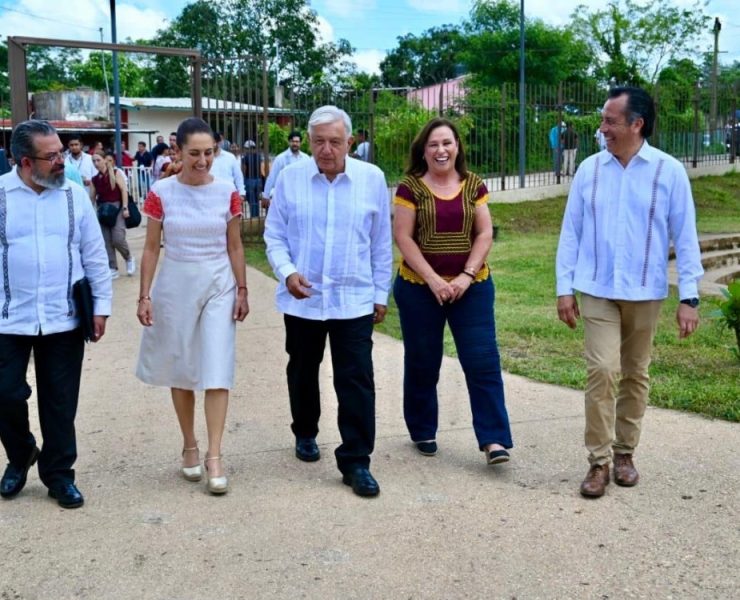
442 527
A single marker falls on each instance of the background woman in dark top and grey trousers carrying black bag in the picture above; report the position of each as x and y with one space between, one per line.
109 186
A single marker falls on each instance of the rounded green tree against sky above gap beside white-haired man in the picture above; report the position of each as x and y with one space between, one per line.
429 58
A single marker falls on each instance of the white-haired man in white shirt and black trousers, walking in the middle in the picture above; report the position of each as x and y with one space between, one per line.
328 237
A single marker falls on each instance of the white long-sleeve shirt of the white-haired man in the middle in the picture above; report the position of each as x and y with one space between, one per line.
336 234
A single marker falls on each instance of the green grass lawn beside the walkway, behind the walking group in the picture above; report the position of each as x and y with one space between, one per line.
698 374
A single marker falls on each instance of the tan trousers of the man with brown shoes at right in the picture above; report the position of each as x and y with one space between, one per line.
619 337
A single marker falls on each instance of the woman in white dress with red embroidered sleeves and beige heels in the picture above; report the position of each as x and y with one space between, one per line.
189 315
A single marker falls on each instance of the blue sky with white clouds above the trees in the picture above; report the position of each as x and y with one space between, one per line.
372 26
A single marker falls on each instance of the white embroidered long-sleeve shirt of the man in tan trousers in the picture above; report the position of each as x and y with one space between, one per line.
618 225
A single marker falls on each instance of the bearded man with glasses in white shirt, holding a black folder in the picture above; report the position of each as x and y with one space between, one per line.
50 238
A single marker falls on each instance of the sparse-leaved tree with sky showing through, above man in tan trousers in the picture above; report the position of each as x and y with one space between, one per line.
638 39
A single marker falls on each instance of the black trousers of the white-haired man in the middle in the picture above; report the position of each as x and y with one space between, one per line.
351 346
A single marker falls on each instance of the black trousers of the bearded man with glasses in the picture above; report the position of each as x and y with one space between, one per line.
58 365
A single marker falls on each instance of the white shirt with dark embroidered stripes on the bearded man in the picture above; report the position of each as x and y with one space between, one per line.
48 241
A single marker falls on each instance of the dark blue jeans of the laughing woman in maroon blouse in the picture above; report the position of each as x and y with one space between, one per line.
473 327
